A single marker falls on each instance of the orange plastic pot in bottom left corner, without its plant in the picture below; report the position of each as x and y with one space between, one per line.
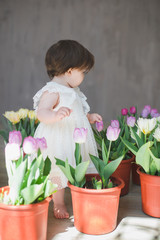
24 221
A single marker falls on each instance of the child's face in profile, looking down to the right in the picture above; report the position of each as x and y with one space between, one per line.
75 77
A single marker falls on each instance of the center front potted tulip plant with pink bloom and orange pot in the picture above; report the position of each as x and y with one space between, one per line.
95 197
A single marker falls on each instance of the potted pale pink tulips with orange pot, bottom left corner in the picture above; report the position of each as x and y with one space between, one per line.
24 202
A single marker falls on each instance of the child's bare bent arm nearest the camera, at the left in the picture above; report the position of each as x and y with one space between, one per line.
45 111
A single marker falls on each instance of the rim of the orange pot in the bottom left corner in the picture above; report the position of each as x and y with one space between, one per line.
24 206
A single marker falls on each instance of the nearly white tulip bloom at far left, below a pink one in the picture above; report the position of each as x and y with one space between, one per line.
12 151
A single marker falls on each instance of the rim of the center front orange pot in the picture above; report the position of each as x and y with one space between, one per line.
100 191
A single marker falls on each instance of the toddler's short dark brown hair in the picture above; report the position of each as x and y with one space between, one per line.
67 54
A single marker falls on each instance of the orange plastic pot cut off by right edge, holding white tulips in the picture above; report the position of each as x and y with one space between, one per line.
150 193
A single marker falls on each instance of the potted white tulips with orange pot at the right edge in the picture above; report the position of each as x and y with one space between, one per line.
147 152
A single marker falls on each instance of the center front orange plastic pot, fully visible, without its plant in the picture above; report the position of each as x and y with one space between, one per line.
95 211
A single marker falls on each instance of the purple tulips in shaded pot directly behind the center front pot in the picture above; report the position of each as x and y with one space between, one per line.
118 148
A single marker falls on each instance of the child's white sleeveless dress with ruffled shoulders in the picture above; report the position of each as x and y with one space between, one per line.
59 135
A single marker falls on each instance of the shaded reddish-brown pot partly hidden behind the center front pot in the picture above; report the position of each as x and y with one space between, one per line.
123 171
